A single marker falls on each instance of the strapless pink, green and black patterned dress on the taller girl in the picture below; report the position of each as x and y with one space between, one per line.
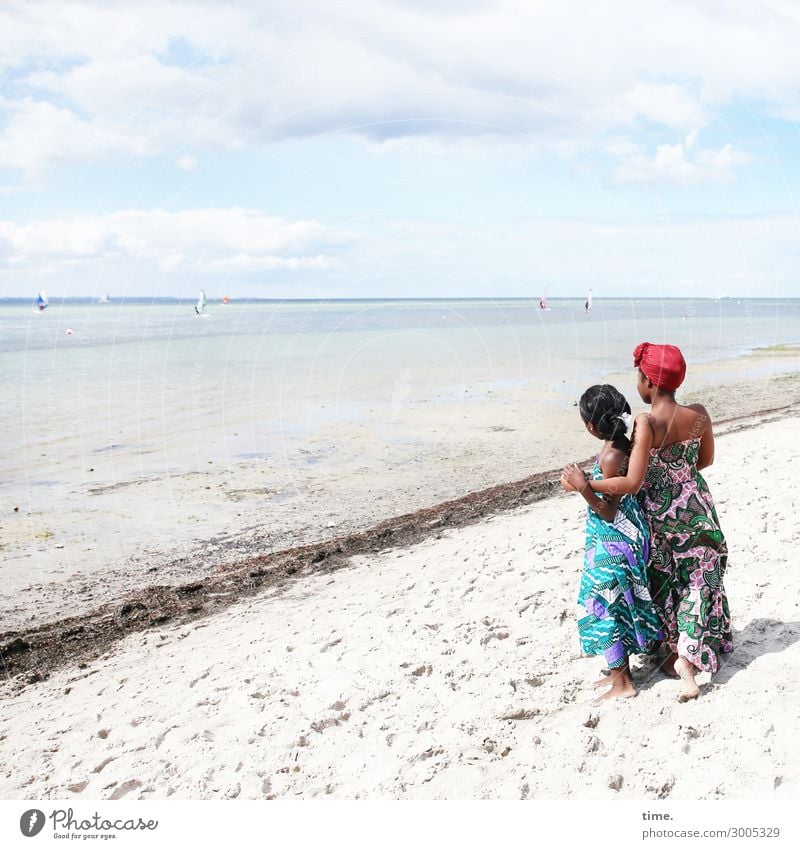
688 555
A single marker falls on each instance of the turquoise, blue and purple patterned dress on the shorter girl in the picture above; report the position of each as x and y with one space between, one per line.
616 614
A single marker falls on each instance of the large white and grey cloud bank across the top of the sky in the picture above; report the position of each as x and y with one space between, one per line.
528 72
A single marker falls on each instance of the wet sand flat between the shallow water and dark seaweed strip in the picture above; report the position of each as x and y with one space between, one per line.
108 536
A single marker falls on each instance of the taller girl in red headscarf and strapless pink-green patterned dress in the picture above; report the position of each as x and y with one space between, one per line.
688 551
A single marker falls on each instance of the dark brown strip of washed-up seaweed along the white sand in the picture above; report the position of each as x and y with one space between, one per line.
28 656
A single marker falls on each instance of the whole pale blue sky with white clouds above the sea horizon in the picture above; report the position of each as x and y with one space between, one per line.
400 148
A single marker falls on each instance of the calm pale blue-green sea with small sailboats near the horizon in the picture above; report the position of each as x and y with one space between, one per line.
167 391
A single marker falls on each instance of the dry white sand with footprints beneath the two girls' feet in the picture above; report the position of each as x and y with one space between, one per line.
401 675
